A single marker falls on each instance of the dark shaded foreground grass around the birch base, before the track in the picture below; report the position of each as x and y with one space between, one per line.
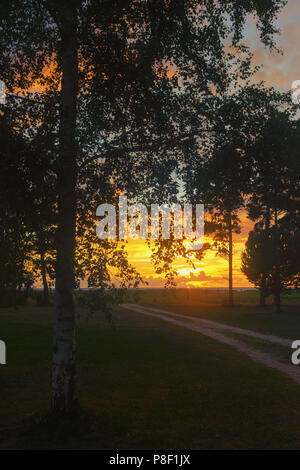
146 384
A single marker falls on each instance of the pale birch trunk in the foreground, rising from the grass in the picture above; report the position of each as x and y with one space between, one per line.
63 370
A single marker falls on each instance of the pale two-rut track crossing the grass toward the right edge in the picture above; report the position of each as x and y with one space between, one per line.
214 330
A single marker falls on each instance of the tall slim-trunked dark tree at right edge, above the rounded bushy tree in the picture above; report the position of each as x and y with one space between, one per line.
275 180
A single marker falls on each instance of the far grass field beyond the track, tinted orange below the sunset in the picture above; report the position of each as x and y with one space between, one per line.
245 314
